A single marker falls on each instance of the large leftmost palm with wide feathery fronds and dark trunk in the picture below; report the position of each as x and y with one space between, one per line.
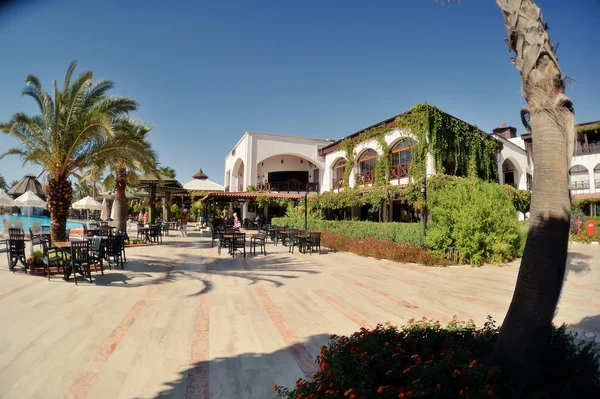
75 129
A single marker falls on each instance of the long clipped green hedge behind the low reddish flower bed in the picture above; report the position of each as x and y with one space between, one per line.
399 232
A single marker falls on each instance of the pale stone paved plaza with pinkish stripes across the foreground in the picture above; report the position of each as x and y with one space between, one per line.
182 321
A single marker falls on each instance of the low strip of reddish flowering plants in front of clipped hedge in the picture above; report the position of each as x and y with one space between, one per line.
380 249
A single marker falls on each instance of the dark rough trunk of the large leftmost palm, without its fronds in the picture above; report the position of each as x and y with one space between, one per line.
59 193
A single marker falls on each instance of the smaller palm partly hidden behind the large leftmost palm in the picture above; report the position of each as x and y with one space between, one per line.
123 170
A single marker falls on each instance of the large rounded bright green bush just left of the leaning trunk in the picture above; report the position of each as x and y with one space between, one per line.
477 218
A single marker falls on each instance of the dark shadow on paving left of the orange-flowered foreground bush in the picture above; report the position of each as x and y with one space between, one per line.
248 375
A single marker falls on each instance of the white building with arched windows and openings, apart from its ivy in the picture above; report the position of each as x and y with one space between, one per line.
290 166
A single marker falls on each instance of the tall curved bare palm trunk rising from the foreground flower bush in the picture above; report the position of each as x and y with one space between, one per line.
527 326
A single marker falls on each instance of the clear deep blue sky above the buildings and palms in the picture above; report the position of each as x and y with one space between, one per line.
205 72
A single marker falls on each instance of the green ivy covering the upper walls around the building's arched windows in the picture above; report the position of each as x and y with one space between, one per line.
437 133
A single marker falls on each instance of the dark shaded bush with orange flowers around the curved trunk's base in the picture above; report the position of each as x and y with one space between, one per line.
422 359
